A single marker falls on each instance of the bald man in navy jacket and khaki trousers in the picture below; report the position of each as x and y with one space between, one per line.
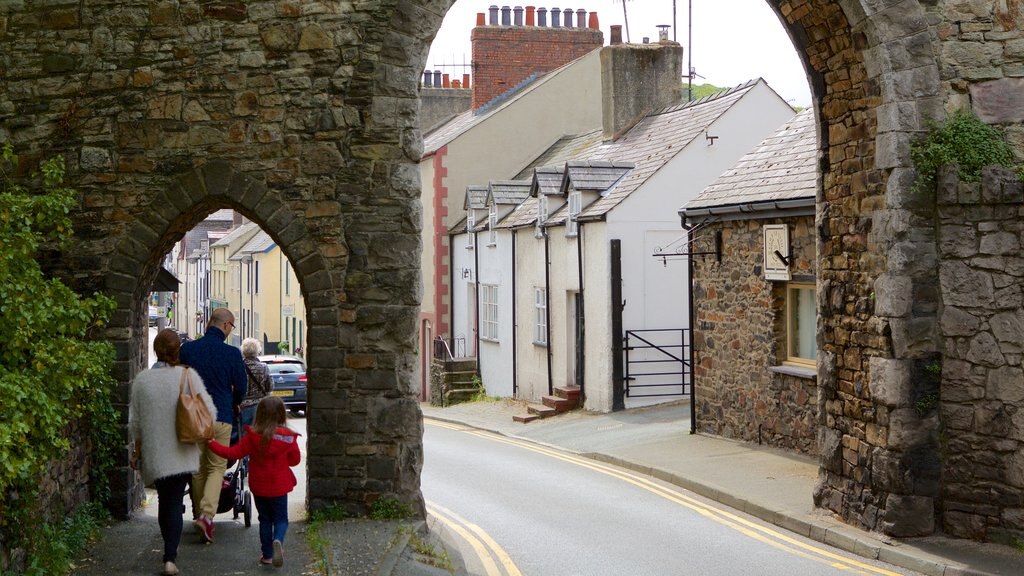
224 373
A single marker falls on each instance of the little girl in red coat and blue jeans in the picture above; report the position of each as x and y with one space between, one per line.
273 448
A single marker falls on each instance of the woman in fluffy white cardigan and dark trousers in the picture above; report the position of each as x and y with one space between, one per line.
166 463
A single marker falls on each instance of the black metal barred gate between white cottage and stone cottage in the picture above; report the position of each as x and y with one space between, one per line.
659 363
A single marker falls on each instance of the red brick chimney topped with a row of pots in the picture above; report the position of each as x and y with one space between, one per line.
505 55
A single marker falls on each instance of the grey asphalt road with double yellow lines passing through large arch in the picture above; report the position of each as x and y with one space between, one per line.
540 512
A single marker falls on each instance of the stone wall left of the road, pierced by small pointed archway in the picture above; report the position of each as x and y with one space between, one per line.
302 116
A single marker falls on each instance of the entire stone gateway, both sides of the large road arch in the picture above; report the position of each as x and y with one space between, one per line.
303 115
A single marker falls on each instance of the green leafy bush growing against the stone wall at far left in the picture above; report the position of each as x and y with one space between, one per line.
52 375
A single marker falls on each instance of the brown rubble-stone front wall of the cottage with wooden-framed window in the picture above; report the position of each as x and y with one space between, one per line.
739 340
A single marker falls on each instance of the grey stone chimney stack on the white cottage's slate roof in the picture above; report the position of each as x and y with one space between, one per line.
637 79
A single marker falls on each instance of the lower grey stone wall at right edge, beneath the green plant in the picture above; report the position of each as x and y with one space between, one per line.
982 270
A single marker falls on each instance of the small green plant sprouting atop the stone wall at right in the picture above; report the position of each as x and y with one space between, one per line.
963 140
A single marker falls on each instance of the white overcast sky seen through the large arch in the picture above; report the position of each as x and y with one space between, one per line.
734 40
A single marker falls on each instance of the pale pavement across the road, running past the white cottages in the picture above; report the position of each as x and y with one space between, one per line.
774 486
